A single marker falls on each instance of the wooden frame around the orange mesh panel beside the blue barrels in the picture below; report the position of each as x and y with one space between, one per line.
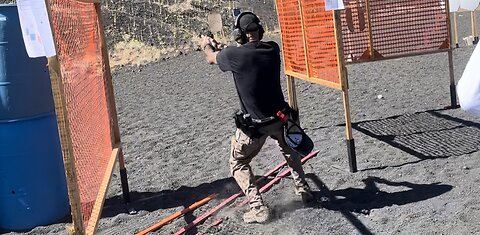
77 226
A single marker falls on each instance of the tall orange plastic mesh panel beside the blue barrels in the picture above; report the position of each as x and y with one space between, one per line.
76 29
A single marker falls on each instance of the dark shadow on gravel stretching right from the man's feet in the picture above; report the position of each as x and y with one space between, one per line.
364 200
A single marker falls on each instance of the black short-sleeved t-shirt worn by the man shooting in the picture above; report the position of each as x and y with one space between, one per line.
256 71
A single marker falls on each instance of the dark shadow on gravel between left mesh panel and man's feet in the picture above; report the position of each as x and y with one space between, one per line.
183 196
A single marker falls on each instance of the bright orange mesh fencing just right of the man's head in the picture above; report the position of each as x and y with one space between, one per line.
308 41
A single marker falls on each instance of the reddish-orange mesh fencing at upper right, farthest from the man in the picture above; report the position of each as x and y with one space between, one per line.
399 27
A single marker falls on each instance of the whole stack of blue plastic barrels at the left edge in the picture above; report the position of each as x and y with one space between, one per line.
33 187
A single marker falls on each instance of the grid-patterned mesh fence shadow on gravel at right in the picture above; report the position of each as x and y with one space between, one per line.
425 135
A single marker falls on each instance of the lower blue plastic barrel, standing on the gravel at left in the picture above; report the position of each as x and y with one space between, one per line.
33 188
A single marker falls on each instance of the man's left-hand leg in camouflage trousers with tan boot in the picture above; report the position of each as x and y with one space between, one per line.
243 150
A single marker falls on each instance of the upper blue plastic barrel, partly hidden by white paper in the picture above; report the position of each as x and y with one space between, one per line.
24 82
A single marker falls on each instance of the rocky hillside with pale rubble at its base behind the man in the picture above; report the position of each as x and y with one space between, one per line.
151 29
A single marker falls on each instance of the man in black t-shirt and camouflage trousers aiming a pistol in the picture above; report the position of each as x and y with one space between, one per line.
255 66
